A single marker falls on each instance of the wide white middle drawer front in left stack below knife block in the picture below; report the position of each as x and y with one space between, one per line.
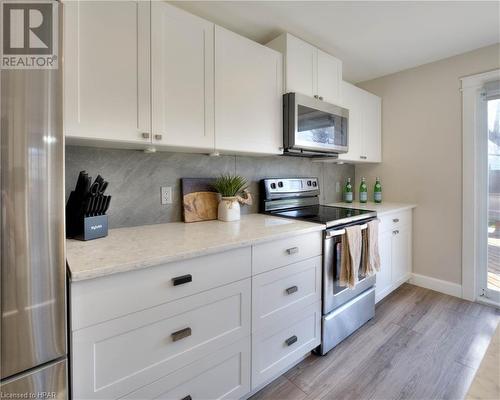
119 356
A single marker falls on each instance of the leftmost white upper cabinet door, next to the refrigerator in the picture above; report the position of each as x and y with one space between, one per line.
106 70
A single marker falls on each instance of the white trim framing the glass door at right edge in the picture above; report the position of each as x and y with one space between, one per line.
473 200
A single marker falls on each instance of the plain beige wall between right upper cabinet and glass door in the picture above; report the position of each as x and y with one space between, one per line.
422 154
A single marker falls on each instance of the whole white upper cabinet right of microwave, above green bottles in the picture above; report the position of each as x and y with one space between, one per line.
365 133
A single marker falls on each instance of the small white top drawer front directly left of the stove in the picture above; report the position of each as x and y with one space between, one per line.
271 255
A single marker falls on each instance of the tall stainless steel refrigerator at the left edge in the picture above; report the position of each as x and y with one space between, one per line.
33 270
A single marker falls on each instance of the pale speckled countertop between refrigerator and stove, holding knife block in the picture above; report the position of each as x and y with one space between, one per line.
127 249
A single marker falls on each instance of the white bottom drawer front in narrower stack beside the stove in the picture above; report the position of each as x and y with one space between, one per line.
276 350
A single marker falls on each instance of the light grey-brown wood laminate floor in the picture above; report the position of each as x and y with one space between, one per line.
420 345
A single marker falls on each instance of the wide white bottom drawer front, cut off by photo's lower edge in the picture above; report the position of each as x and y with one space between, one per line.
224 374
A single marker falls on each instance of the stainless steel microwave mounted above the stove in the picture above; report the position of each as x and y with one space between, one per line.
312 127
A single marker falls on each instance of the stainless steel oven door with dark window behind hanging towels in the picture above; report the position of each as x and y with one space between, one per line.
335 295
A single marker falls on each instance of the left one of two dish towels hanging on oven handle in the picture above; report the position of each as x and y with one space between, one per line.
350 256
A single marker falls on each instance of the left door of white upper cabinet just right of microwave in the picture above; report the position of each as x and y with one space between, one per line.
352 100
